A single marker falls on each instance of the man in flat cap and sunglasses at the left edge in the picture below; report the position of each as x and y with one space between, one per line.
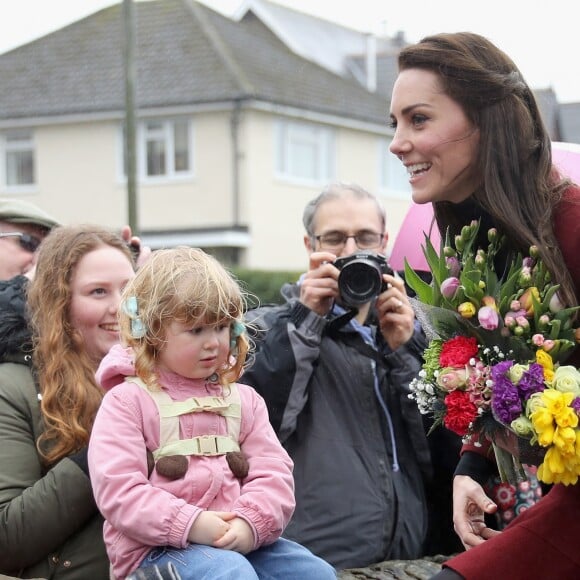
23 226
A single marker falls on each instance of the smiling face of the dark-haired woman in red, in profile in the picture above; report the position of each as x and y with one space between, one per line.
434 139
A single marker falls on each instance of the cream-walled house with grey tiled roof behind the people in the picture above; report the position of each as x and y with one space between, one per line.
236 132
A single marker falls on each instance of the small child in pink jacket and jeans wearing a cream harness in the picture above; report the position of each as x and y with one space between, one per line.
184 464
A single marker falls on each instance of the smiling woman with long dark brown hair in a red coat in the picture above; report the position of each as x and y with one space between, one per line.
469 132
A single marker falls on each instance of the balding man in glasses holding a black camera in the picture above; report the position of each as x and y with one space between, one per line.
333 365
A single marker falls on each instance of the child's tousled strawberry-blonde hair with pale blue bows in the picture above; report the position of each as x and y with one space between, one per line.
188 286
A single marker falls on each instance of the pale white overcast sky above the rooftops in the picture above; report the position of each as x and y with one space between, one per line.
540 37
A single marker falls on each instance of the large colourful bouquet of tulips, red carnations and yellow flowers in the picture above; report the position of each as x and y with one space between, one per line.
495 360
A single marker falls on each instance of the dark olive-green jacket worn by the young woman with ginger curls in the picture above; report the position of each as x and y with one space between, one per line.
49 524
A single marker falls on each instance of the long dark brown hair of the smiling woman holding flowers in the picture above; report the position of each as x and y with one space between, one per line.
519 185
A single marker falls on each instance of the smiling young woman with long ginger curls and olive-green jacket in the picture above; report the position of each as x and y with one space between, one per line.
49 523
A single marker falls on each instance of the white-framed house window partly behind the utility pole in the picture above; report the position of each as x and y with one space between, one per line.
164 149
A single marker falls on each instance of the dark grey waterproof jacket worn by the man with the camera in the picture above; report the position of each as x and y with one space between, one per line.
353 507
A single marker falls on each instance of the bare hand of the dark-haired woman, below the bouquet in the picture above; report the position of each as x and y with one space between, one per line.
470 504
